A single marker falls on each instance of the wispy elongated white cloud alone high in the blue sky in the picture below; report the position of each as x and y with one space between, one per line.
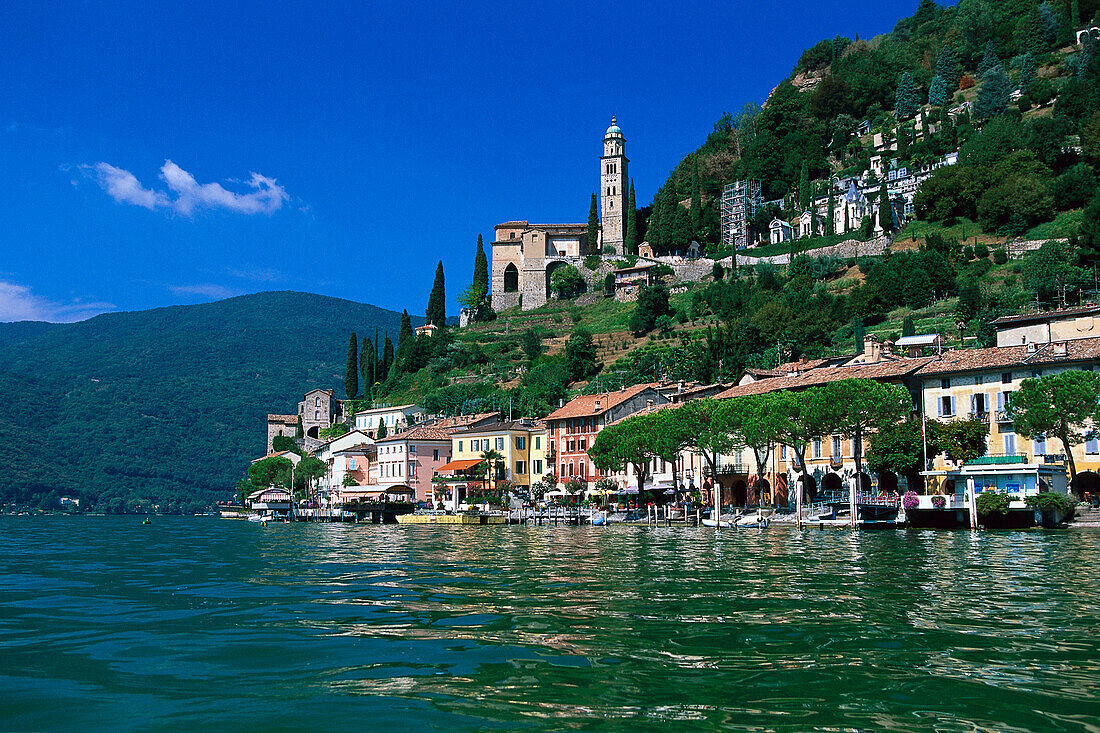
185 194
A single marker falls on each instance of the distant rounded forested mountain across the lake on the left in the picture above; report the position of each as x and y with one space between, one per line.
167 404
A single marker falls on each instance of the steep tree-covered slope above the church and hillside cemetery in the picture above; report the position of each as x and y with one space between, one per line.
977 52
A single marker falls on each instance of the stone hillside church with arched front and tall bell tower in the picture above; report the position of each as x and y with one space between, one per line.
526 255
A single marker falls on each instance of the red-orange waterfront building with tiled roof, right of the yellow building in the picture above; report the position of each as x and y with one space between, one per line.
574 428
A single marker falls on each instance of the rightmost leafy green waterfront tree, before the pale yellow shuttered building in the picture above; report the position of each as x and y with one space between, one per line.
1065 406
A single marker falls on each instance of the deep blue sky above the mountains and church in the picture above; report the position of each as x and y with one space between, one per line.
172 154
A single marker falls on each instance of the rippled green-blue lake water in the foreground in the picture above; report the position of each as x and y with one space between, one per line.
190 623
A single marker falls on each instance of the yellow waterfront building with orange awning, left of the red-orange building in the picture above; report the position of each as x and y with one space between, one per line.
522 444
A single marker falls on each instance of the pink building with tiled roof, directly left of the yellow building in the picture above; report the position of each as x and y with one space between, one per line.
411 460
